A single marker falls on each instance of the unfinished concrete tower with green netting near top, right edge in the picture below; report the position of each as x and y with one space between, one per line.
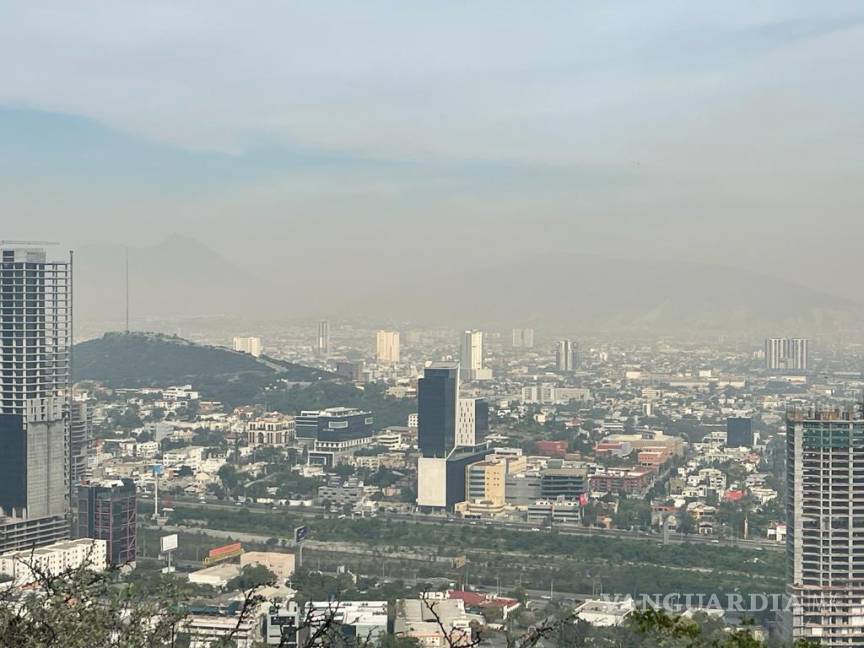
824 513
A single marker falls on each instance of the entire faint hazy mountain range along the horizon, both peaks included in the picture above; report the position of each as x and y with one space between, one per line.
182 278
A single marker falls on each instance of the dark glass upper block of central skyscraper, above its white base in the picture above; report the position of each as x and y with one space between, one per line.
437 402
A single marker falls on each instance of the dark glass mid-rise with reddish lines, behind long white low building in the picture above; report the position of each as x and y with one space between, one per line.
108 510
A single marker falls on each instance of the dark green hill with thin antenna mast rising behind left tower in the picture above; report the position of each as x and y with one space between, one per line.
137 359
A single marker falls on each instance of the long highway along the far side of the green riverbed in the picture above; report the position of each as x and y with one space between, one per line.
419 518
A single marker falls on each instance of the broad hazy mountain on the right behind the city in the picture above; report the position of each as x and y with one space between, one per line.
587 292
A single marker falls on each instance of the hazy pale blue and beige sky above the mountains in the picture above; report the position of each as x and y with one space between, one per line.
398 133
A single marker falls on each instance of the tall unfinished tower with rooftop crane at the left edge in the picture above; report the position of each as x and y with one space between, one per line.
35 332
